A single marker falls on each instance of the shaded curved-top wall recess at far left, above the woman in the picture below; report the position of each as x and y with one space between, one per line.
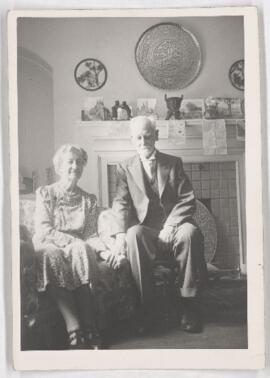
35 115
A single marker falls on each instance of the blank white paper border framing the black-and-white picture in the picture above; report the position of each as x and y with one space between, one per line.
251 358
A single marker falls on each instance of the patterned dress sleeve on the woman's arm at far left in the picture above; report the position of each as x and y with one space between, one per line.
44 230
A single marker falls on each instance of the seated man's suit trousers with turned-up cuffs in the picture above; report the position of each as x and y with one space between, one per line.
185 250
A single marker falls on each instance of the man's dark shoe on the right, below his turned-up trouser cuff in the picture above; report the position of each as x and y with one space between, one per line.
191 317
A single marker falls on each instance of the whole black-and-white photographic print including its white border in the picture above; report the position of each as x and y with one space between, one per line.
131 226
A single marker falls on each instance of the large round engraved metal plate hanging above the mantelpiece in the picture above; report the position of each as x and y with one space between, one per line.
168 56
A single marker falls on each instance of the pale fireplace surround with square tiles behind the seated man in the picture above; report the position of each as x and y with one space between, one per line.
218 180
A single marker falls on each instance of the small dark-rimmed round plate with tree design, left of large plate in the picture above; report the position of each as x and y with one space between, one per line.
90 74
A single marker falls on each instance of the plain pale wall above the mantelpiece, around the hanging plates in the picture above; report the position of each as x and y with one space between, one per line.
64 42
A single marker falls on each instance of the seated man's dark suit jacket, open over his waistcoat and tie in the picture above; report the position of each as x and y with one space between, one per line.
175 190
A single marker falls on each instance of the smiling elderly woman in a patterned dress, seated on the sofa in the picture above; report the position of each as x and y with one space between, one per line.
66 244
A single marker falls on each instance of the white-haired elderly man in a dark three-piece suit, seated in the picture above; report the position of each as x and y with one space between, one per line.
154 187
